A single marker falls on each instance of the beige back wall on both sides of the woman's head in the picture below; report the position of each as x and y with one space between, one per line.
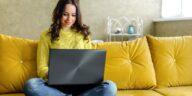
27 18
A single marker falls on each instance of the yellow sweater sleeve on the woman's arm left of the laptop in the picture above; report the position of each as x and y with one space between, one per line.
43 56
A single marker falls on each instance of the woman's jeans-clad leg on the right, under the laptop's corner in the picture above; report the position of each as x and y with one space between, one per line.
106 88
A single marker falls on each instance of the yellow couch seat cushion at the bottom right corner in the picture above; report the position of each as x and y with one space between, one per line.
176 91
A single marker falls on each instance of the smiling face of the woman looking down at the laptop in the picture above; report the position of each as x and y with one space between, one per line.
69 16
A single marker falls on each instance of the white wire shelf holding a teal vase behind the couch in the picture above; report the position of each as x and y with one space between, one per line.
124 27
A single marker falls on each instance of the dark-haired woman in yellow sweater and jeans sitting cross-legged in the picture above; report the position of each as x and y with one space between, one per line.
67 32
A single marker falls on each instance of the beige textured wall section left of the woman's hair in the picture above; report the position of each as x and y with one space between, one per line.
25 18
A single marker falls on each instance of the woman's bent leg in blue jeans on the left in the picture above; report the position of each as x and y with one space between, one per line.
37 87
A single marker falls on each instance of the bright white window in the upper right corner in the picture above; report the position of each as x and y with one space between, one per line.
176 8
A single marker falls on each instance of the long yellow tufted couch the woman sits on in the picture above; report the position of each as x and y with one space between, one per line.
147 66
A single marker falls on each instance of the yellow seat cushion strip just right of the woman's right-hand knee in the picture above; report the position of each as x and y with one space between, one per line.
137 93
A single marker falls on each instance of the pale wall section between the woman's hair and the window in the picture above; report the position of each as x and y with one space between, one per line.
95 13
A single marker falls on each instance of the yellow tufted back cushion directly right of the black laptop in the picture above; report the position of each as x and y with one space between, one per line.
129 64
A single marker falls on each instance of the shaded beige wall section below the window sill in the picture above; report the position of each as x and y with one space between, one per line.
173 28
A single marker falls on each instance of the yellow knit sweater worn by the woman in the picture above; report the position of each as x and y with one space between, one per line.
68 39
